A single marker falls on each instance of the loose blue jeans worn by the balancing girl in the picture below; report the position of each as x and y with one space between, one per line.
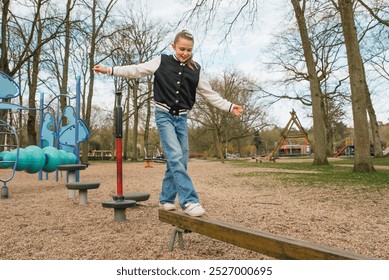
173 133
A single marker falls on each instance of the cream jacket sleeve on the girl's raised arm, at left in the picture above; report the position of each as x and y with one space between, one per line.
137 70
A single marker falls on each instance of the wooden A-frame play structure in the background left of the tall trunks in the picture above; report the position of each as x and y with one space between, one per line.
286 134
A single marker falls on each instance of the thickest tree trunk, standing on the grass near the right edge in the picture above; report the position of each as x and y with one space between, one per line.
362 159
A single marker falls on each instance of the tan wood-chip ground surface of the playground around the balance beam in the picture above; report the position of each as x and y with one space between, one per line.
40 221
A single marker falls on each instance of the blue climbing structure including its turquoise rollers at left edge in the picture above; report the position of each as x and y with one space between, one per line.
60 132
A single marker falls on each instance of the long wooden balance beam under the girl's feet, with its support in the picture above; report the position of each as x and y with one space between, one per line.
265 243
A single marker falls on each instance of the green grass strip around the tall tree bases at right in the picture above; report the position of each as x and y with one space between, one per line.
337 173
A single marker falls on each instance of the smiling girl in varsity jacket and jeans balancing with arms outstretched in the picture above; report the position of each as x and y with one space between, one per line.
177 79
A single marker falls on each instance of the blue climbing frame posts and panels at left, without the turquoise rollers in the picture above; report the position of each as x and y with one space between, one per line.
65 137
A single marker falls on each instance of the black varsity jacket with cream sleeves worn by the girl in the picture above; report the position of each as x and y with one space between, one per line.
175 84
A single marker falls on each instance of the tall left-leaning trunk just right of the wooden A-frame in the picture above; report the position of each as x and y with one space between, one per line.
319 128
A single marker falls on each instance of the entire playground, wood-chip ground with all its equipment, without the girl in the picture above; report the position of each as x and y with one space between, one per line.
78 211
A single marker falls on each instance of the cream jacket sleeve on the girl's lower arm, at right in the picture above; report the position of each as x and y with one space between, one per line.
204 89
